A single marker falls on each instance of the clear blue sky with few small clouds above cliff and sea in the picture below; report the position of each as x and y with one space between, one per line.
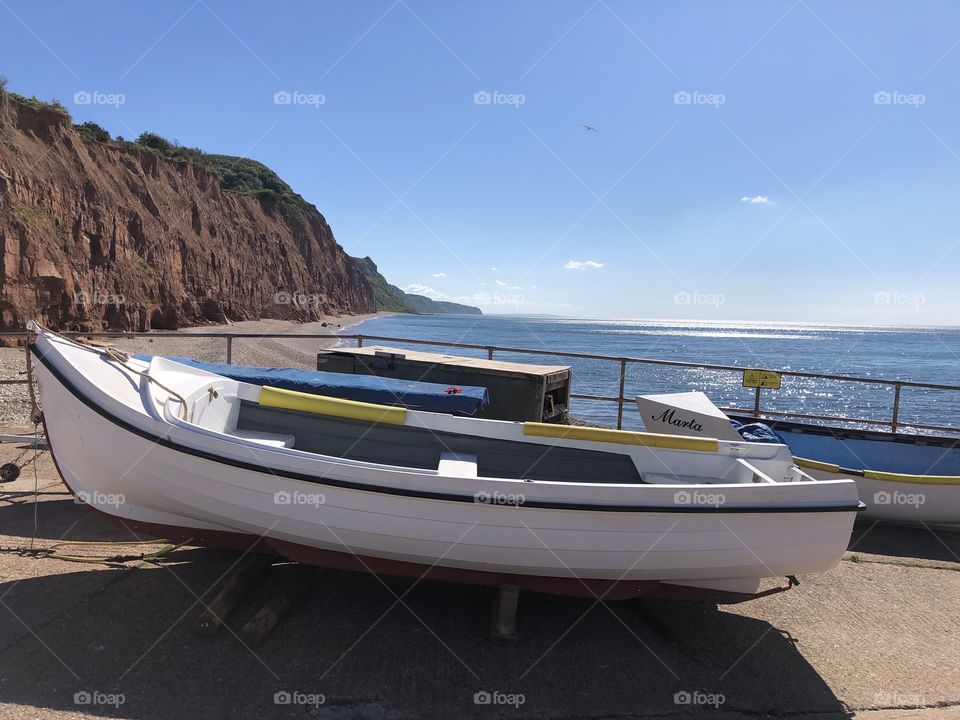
793 161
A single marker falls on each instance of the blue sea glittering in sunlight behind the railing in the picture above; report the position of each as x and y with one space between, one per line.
920 354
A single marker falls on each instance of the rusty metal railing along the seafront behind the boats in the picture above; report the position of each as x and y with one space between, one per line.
894 423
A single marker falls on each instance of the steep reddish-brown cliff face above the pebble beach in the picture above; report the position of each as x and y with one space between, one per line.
97 236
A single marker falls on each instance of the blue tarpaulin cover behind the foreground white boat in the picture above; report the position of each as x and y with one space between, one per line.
432 397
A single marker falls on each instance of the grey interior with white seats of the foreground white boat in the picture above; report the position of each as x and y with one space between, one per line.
380 434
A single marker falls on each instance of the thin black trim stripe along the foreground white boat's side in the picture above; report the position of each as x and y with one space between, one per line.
430 495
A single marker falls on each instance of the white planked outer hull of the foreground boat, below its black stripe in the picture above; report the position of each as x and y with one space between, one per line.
156 485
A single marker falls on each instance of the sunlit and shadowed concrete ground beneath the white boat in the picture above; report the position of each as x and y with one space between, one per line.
878 637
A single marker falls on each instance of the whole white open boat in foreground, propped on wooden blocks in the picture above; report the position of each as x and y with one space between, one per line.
178 452
